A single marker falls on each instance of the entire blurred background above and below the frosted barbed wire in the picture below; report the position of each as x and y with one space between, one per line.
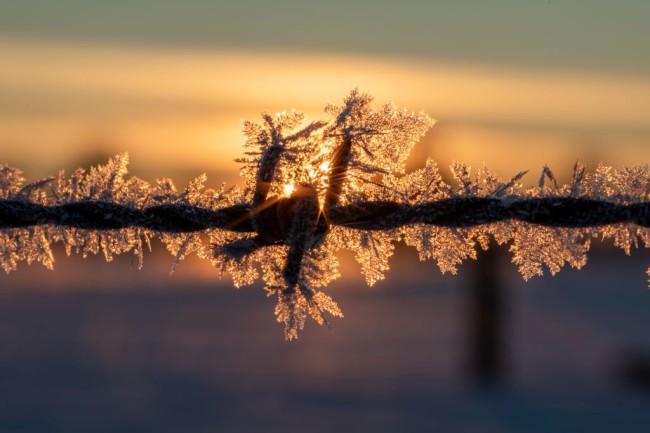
101 347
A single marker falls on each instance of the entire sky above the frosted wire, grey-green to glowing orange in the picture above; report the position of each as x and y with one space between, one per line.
512 84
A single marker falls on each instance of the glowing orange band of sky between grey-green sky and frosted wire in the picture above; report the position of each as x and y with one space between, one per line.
180 111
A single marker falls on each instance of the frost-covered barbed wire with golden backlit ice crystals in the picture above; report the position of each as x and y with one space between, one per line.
314 189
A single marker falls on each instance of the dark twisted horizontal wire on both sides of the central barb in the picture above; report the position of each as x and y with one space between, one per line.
372 215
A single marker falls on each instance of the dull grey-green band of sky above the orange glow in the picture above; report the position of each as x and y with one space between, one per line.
586 35
